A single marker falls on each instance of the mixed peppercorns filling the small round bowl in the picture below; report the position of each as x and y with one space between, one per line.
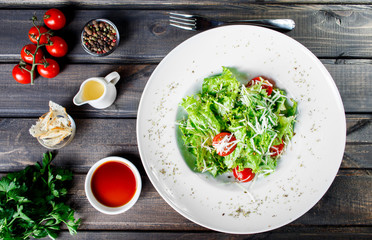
99 37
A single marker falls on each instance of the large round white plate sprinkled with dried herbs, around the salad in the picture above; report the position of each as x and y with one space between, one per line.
304 172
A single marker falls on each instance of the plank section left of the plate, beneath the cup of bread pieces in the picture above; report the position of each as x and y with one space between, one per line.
94 139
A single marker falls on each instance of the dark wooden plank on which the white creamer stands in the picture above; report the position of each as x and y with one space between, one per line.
355 93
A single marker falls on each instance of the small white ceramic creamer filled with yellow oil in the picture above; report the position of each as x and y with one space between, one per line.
98 92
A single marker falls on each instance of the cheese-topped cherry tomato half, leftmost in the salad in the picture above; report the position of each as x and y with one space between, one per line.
224 143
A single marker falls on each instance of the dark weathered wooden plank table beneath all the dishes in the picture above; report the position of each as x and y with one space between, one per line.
339 33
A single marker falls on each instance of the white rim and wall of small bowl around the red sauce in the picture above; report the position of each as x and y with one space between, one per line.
112 210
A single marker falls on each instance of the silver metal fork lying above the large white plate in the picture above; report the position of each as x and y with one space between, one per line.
194 22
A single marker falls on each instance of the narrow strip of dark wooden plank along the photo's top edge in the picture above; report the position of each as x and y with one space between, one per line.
160 4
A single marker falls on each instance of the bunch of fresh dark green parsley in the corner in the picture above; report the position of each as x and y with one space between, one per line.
32 202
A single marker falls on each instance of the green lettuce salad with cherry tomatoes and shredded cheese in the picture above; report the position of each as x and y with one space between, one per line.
232 127
